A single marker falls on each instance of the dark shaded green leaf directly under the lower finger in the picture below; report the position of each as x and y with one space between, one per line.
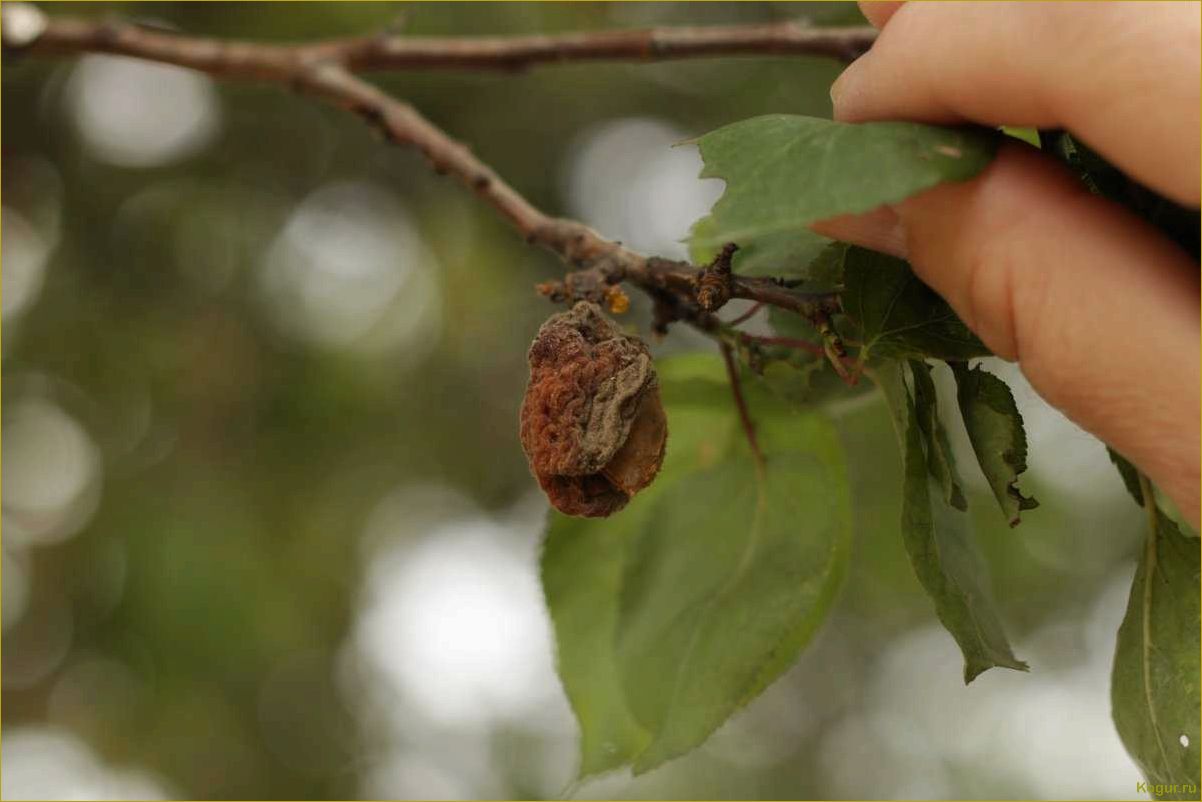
898 316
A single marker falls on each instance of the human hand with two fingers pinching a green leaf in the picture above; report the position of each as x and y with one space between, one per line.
1099 310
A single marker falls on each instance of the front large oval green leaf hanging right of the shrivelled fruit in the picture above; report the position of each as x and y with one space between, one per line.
727 584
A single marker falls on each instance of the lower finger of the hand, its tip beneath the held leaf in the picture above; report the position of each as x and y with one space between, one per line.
1100 311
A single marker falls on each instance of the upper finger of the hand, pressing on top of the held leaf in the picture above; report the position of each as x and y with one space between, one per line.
1124 78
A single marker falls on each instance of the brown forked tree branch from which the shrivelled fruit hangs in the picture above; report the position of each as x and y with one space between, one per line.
325 70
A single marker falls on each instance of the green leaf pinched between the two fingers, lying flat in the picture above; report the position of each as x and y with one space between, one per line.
784 173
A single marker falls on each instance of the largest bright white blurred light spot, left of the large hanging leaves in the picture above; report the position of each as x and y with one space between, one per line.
457 625
